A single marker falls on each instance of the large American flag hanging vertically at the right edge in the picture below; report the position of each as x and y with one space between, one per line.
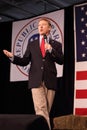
80 29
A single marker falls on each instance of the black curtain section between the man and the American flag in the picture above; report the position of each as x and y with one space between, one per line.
63 104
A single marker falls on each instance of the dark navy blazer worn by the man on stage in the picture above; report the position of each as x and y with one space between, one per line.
41 68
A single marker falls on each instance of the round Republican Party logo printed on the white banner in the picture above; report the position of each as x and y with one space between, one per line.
29 32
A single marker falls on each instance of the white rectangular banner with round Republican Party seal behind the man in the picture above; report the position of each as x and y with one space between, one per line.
23 30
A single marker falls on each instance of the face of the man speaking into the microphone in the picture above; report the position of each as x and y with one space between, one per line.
43 27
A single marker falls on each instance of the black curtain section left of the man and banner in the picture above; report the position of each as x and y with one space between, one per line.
15 97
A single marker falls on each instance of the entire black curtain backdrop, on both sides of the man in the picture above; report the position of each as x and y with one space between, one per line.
15 97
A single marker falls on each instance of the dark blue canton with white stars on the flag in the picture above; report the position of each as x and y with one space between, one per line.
81 32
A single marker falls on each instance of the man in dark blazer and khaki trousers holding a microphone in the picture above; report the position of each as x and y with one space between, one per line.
42 74
